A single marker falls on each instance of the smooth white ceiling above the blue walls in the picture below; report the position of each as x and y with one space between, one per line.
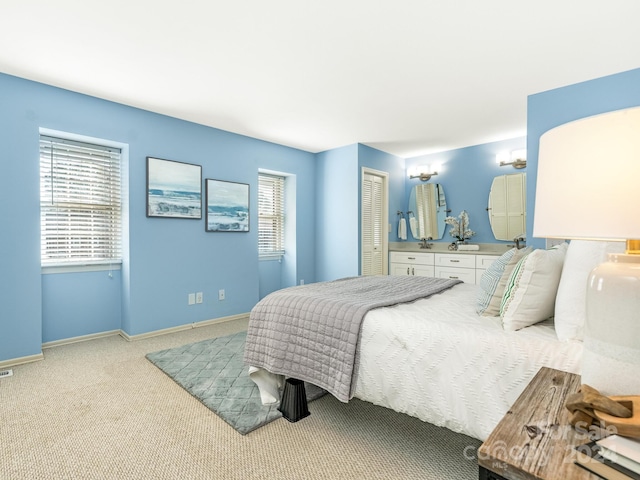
405 76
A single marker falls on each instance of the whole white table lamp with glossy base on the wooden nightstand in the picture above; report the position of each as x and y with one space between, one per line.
588 187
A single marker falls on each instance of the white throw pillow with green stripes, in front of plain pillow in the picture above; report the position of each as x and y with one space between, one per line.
531 291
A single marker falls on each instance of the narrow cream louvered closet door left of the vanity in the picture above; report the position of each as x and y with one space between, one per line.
372 225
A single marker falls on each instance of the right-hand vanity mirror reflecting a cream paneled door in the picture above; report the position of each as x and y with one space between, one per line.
507 206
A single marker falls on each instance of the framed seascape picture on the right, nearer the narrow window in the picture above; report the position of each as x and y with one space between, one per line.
227 206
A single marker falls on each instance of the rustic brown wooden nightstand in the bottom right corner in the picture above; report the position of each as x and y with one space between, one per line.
534 440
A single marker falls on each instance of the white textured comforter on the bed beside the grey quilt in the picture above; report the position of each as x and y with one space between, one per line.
437 360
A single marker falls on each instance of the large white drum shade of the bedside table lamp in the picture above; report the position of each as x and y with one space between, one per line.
588 183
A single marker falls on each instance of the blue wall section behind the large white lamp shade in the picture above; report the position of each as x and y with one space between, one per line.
549 109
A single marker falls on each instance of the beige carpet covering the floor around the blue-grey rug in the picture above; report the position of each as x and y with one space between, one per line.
100 410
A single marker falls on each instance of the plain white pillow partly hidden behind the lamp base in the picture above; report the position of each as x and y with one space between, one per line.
570 311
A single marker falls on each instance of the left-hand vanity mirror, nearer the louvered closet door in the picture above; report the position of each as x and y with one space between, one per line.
428 208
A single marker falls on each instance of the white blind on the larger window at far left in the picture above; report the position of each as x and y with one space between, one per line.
80 203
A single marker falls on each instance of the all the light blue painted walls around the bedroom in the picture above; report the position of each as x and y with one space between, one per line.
169 258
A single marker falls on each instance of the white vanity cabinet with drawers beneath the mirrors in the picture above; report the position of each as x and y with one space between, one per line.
461 266
